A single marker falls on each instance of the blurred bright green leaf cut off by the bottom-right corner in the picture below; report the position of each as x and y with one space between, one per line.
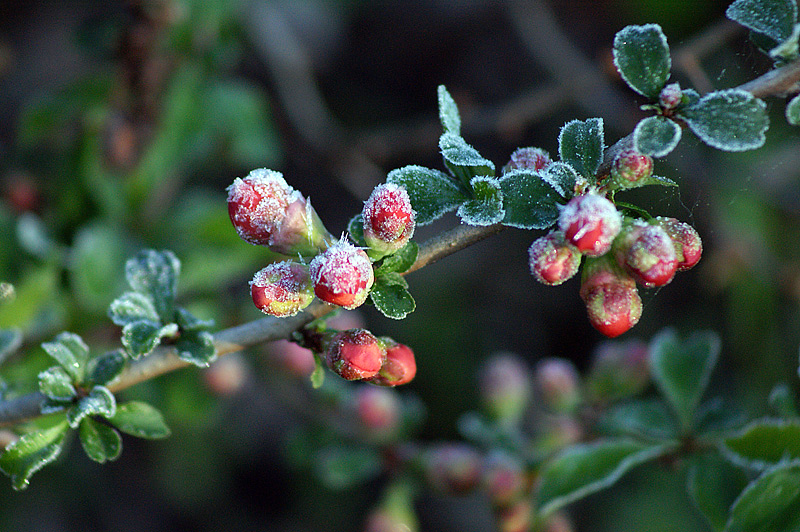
771 503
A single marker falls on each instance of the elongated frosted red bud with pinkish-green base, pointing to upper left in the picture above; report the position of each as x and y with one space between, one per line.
266 211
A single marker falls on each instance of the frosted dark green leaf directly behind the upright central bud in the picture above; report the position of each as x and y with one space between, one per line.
432 193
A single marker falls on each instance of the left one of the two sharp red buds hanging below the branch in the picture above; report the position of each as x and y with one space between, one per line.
355 354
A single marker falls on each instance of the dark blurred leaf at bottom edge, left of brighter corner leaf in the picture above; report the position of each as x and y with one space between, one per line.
713 484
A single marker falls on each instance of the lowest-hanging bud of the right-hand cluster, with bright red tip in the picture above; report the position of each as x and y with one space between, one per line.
612 301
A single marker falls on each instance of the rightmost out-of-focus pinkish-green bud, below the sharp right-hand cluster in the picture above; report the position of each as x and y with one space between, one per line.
619 370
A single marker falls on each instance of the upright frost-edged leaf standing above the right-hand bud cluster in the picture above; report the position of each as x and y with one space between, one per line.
581 144
